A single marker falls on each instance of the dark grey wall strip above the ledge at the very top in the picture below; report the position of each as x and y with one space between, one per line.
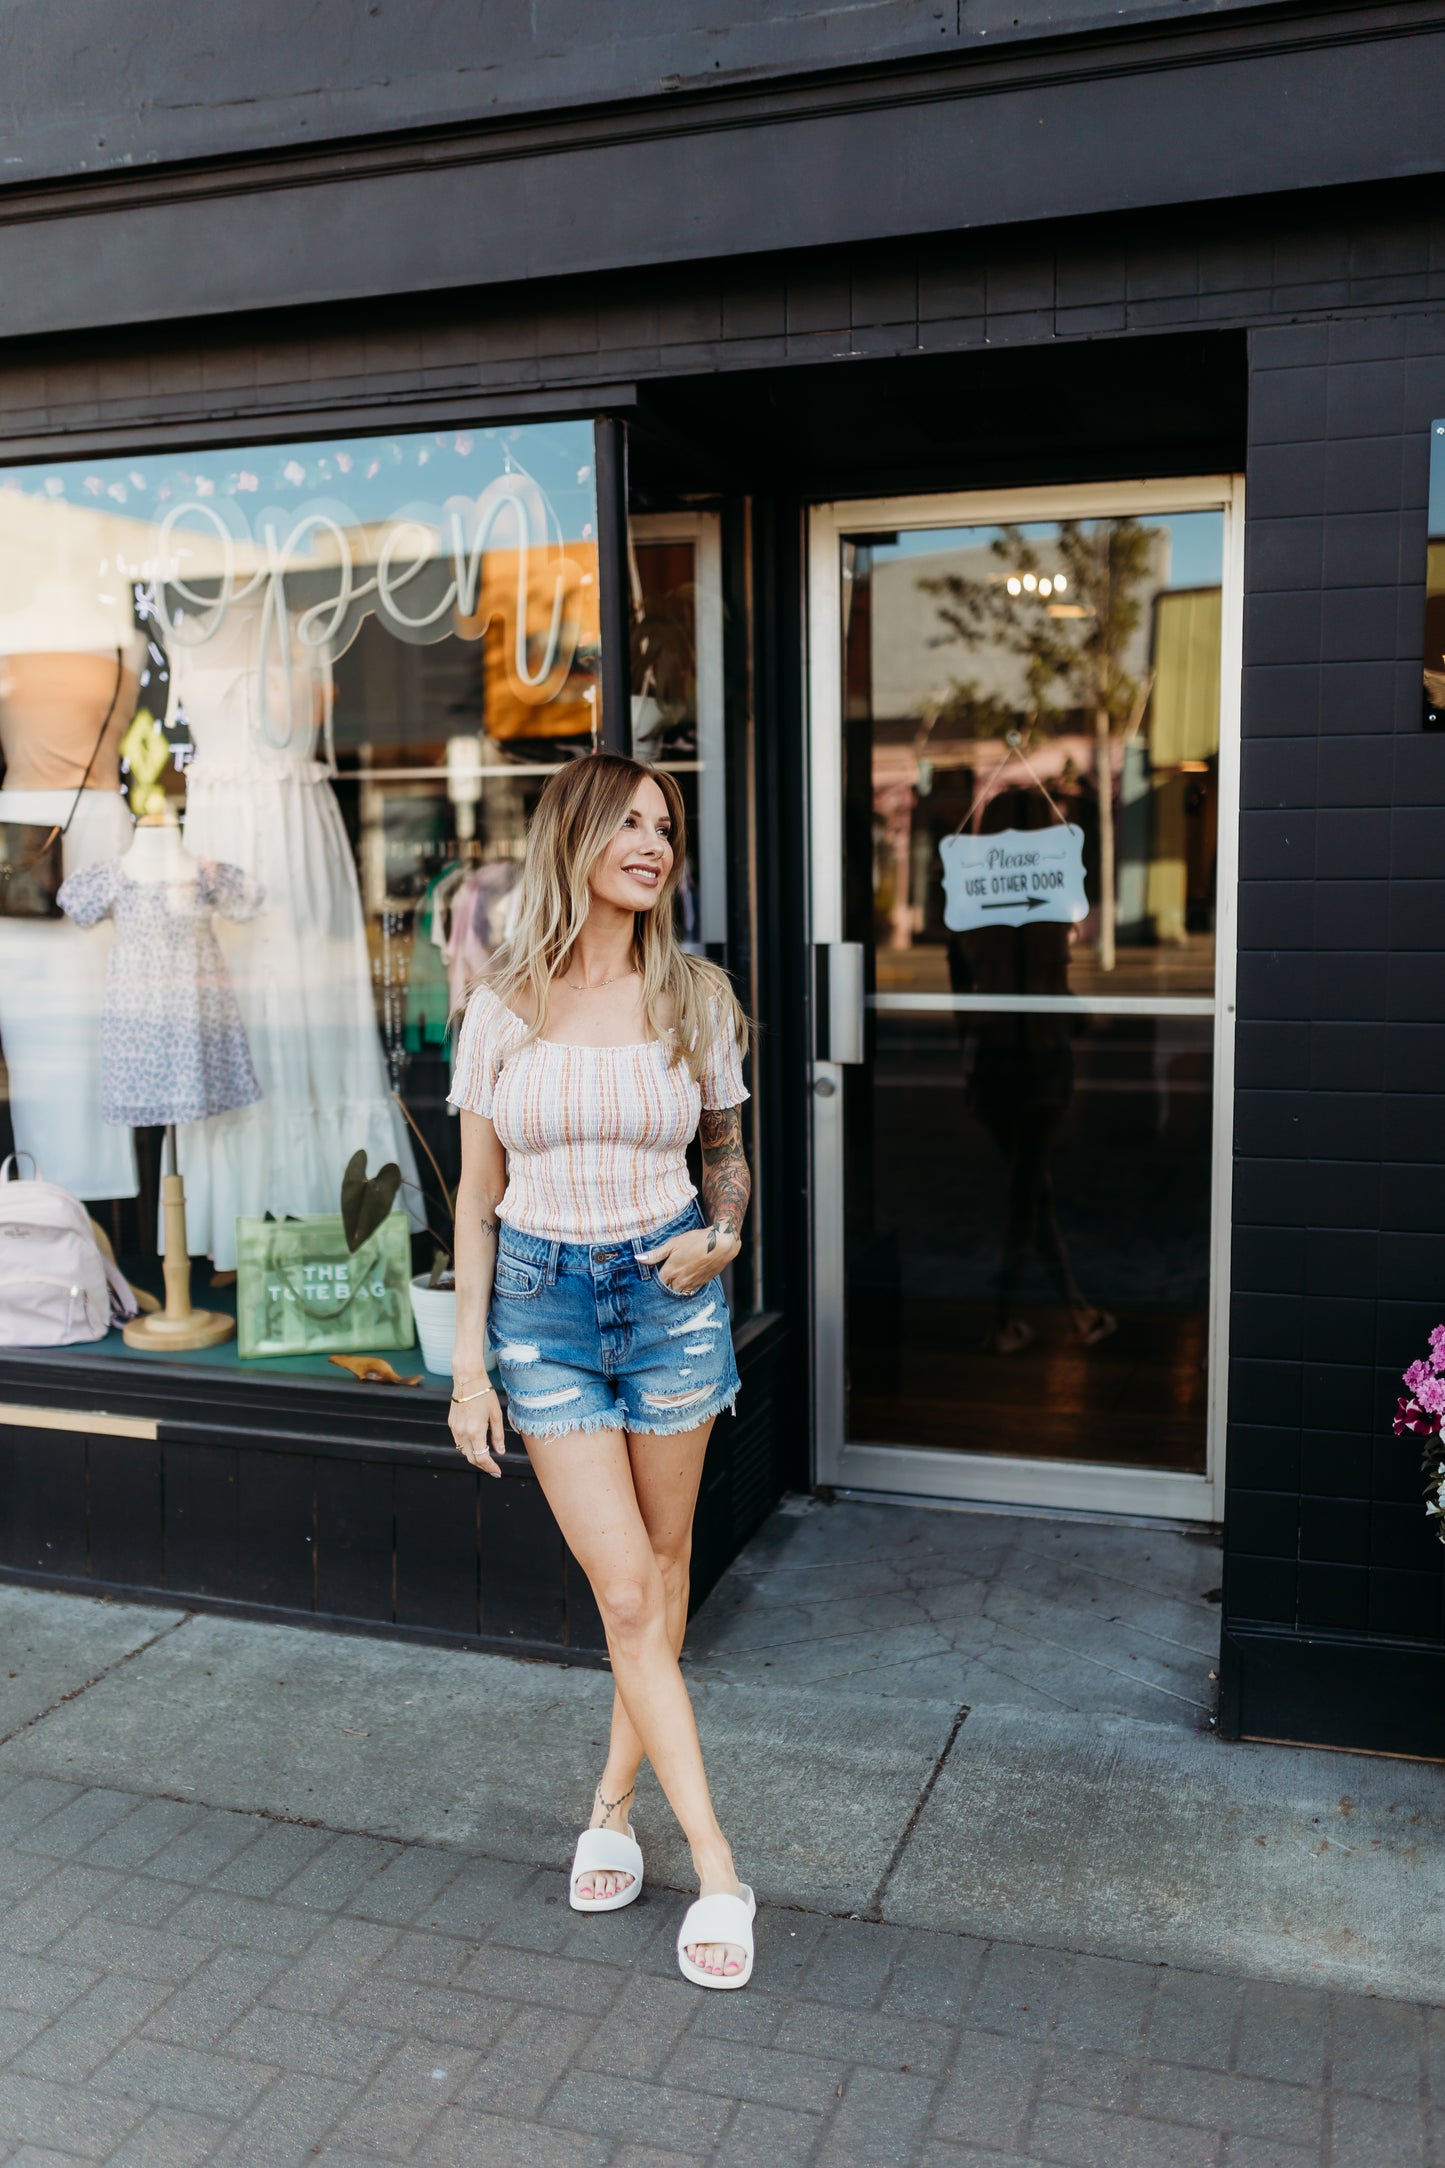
92 90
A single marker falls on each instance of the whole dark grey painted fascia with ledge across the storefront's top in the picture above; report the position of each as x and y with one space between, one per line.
209 179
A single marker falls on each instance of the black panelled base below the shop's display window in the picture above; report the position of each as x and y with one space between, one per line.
311 1499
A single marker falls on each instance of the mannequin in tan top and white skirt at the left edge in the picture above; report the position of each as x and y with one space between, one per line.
53 706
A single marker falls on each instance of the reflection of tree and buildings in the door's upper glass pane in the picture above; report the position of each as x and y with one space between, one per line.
1002 660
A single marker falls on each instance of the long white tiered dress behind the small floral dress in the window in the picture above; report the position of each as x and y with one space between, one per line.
261 799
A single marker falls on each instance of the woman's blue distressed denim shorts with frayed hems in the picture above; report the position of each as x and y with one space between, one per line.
588 1339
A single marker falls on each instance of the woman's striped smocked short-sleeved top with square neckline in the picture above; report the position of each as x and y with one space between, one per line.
597 1137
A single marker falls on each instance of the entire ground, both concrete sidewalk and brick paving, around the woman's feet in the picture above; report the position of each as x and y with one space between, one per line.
276 1896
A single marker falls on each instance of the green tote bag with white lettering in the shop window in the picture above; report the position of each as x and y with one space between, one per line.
300 1291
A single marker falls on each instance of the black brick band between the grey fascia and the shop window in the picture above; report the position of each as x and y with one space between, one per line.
1351 253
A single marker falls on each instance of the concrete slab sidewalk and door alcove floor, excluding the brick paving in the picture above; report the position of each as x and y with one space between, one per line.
1071 1792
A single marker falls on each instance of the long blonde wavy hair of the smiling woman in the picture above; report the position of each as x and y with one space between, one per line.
577 816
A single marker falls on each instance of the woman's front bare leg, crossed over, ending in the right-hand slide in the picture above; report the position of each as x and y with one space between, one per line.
588 1484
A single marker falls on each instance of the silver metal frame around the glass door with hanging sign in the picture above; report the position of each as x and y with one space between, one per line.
982 1477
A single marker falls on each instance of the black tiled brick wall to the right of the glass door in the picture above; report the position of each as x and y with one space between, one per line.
1340 1122
